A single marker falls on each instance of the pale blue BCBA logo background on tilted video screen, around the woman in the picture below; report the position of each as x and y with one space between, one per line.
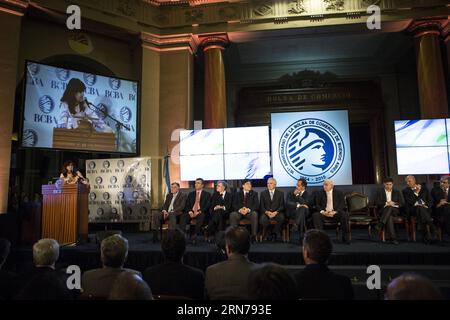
43 111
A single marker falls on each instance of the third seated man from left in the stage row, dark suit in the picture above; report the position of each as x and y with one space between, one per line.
220 208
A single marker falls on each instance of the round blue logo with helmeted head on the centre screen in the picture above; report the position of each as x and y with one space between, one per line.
312 149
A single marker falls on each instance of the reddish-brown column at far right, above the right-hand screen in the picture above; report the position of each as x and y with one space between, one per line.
430 70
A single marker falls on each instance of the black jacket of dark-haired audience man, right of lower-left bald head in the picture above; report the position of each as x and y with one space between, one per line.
175 279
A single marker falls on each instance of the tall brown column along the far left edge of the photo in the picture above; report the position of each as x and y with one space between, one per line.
11 13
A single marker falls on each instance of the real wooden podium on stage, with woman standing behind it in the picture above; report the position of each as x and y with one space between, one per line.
65 212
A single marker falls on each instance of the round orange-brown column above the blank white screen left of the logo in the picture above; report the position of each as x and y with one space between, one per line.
215 89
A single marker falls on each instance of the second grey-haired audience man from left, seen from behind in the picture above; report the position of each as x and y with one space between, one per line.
99 282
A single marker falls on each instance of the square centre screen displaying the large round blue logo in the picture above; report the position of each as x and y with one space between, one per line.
311 145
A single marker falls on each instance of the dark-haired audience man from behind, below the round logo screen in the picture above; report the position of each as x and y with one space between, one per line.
316 281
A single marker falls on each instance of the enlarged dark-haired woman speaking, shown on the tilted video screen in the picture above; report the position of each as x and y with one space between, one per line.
75 107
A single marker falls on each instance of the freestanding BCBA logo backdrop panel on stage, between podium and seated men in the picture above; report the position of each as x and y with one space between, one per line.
120 190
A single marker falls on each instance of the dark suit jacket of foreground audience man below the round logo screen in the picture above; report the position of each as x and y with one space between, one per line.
316 281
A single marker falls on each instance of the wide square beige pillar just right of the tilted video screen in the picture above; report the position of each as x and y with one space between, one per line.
166 102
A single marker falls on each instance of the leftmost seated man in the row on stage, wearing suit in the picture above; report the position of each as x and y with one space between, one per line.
172 209
